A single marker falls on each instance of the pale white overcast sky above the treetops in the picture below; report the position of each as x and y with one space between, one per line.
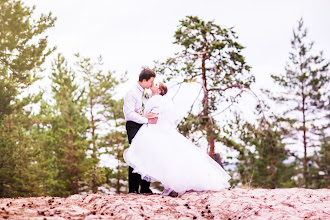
130 34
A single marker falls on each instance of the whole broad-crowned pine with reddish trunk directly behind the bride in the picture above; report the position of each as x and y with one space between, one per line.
211 58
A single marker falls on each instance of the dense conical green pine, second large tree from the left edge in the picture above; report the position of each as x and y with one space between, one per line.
68 130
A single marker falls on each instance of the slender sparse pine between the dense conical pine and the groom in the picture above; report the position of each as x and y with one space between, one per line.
100 88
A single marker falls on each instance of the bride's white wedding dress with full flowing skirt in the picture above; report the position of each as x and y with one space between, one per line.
160 153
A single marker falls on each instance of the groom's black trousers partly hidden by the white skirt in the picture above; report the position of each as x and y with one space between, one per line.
134 179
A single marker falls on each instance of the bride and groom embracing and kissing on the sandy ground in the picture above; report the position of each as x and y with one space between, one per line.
157 151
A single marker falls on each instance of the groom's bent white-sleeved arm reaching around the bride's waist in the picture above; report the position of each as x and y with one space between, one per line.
129 110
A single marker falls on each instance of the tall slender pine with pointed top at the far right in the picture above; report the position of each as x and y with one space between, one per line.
304 94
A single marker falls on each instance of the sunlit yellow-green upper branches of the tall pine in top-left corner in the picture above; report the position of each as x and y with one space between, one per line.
23 47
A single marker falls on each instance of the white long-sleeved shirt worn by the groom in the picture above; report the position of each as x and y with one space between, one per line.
133 104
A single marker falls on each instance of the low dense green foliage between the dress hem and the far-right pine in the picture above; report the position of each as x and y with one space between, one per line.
262 155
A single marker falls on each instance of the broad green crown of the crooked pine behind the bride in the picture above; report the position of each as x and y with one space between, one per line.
224 67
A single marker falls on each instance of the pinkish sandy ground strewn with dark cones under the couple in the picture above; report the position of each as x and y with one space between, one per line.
226 204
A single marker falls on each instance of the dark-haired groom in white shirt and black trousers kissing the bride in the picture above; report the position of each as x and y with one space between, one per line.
134 102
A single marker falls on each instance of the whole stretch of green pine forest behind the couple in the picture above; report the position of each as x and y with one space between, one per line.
51 140
